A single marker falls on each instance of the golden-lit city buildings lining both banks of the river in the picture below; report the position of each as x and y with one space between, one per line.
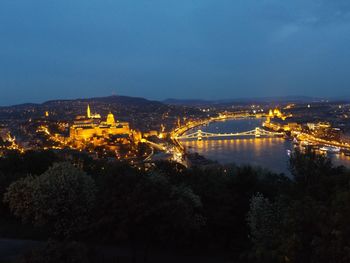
94 133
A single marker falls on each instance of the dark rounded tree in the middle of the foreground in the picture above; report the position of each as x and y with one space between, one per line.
159 211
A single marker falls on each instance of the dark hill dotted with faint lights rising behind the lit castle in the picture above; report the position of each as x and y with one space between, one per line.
142 114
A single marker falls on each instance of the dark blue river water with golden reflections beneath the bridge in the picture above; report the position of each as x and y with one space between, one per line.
268 153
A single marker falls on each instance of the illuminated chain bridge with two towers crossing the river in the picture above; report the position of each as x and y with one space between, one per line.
257 132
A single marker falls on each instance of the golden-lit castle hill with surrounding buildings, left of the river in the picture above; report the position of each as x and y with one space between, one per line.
90 132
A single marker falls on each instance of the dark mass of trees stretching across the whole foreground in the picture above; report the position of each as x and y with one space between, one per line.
250 213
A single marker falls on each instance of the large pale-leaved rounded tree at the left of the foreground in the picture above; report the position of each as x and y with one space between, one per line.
60 199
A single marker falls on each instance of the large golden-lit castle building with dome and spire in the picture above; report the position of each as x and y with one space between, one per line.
92 127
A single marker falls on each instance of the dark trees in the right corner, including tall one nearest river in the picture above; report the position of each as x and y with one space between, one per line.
307 223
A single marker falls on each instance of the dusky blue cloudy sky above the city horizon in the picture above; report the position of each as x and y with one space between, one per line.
216 49
